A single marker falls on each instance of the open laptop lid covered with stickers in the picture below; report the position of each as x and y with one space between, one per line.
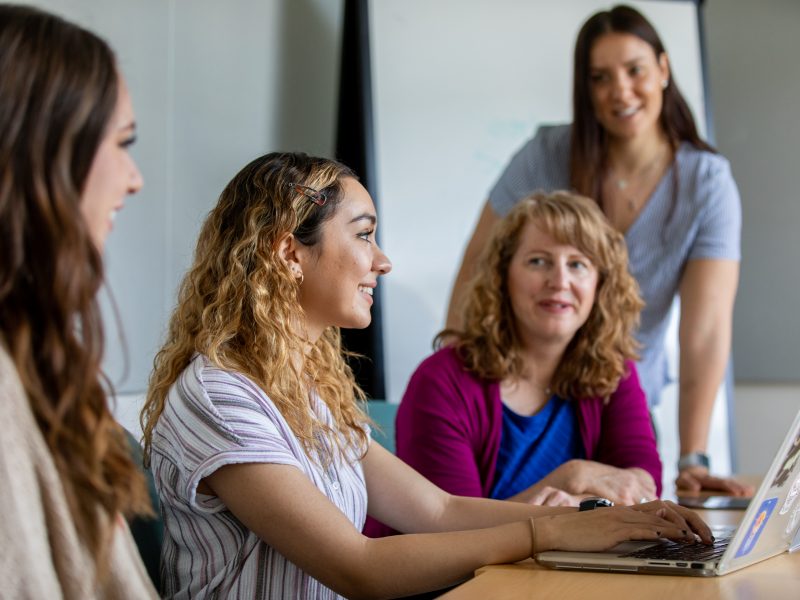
770 525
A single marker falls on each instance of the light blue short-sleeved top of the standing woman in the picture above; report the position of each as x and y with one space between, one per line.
706 223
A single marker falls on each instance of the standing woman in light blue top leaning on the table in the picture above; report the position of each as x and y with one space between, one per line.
634 147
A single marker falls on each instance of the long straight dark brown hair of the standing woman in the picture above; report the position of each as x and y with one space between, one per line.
588 152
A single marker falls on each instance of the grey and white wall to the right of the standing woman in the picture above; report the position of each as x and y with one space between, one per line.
755 83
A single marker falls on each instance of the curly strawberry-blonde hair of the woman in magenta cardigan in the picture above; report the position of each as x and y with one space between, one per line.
594 360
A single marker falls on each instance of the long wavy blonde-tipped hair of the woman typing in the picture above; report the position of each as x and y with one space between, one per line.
238 304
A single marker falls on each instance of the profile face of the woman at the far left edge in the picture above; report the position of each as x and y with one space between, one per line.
113 174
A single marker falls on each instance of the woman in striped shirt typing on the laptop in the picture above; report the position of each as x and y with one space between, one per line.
261 453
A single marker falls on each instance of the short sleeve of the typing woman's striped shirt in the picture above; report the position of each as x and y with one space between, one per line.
222 418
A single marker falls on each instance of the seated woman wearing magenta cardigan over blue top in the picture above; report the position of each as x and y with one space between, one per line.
537 399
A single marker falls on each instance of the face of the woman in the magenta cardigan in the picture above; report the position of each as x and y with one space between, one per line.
551 287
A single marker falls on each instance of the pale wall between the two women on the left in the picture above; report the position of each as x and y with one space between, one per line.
214 84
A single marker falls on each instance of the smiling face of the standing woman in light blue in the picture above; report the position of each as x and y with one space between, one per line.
626 82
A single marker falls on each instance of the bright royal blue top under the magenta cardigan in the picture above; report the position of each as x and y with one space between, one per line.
531 447
